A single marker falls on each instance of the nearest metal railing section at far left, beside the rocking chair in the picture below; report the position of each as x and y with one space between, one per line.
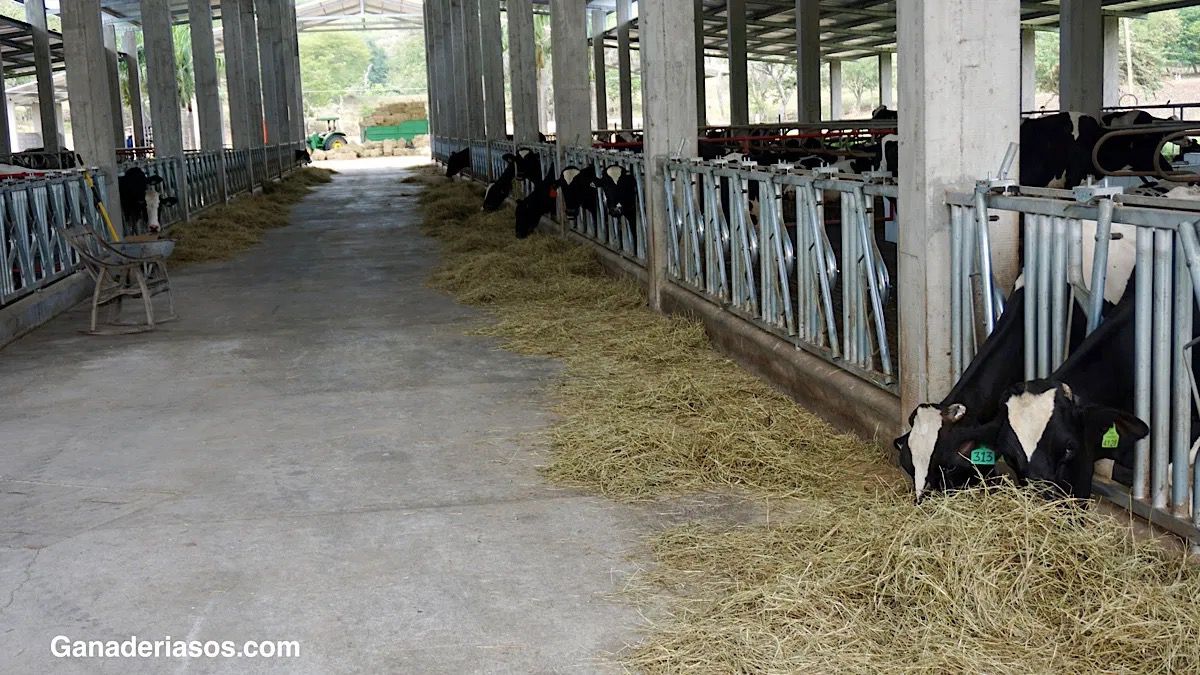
33 253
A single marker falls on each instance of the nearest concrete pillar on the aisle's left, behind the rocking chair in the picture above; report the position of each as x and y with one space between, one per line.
92 107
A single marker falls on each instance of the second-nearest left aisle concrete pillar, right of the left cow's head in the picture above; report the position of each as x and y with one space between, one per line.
160 50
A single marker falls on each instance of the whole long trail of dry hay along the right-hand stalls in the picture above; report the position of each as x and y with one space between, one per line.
856 578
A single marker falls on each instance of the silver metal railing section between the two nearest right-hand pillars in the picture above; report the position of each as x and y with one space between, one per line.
757 242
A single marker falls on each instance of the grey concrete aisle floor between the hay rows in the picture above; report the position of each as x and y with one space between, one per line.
315 452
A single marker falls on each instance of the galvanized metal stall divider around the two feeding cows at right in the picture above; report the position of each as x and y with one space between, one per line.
1166 487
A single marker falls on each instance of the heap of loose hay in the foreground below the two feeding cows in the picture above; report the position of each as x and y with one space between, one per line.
1000 582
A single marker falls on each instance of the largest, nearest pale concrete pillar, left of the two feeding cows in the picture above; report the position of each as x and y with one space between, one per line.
952 56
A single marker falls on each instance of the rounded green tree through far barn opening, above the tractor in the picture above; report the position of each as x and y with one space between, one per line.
333 65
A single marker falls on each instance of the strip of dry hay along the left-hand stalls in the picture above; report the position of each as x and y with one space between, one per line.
225 231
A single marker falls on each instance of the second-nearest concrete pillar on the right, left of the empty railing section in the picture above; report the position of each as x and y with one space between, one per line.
669 81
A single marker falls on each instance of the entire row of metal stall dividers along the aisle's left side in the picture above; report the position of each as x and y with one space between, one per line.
33 210
